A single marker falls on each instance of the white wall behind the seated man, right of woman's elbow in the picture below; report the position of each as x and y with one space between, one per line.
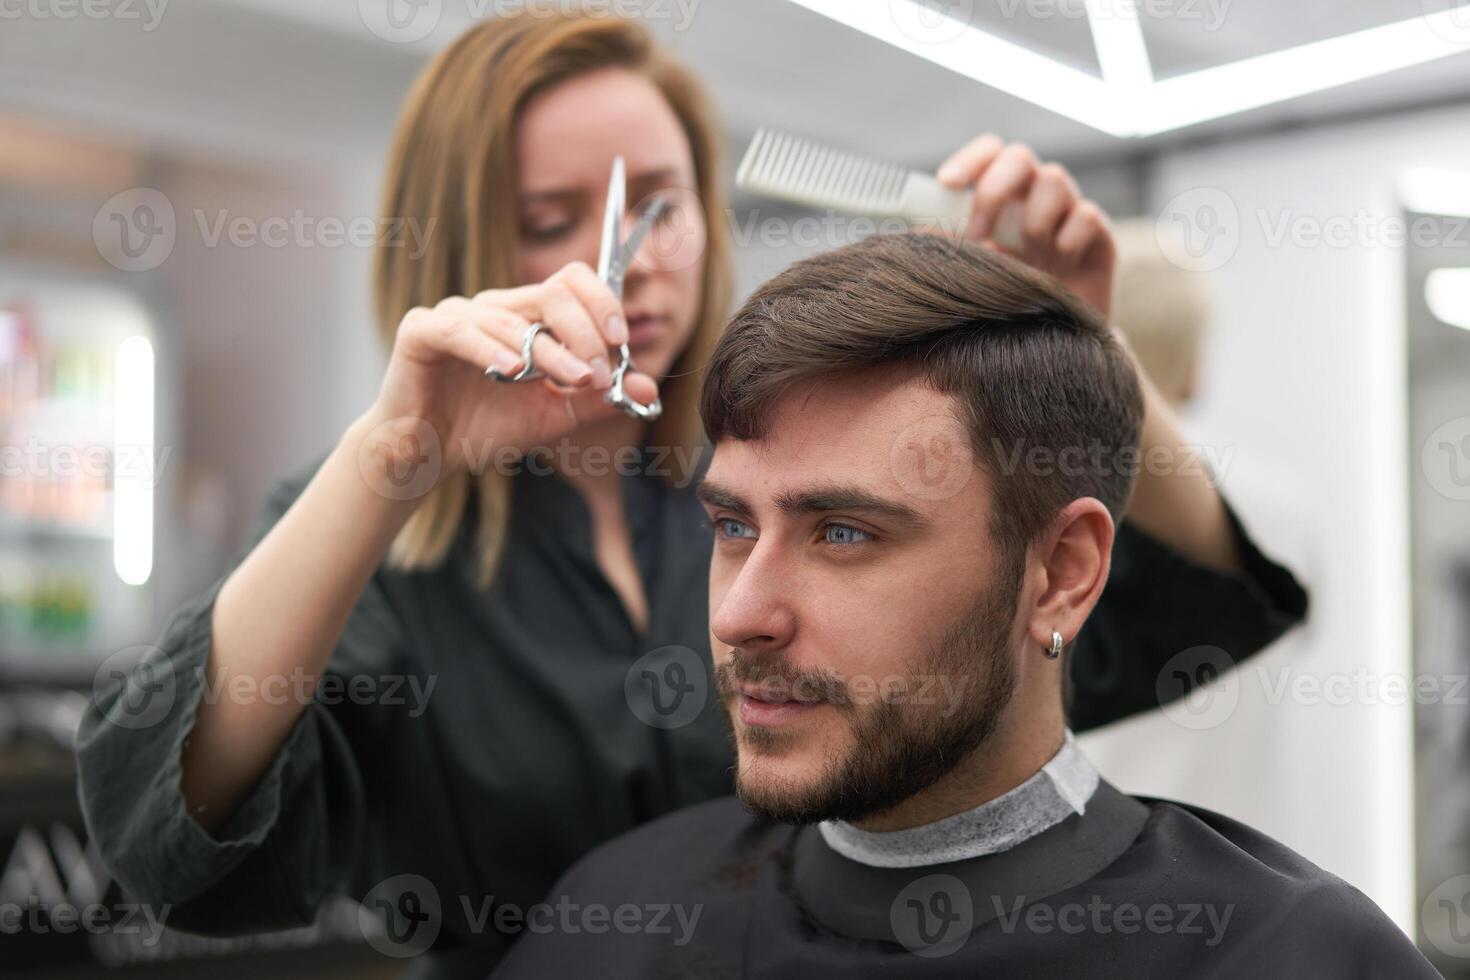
1305 383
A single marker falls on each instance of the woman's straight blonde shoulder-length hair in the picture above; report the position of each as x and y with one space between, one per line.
455 161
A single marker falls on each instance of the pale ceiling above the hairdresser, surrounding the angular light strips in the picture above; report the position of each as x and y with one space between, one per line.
309 80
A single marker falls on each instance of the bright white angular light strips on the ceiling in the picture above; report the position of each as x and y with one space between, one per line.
1127 102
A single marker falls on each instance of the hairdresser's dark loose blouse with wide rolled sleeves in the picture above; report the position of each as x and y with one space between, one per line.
552 725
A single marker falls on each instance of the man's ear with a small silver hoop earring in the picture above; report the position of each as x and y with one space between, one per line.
1075 561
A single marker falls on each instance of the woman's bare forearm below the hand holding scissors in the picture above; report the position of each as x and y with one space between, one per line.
279 618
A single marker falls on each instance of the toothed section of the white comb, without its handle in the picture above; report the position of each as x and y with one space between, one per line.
795 170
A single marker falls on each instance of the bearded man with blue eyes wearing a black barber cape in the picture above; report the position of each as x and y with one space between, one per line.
921 453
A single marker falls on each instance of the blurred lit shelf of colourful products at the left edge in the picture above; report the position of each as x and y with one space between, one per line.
77 512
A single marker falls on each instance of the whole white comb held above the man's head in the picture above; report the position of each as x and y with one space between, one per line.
793 170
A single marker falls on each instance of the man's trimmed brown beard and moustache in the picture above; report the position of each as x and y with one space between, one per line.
899 749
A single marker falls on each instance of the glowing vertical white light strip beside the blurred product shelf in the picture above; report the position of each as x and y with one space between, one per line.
133 458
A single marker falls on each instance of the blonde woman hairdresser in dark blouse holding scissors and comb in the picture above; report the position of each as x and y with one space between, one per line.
481 578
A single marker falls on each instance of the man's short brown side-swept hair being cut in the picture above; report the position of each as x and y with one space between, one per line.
1049 396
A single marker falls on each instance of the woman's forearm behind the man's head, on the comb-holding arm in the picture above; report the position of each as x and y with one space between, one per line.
1175 497
